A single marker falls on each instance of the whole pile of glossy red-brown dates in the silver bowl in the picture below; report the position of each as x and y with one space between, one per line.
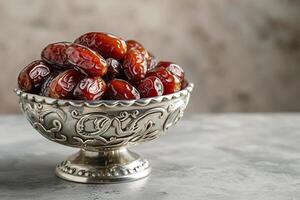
100 66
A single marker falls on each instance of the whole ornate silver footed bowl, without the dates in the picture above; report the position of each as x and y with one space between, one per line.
103 130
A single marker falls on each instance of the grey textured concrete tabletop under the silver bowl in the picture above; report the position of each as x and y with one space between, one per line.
207 157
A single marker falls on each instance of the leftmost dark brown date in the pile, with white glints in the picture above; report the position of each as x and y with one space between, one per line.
33 75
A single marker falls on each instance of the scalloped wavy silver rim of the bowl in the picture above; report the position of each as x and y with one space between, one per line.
107 103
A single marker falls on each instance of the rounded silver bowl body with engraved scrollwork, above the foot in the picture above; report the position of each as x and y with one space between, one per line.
99 127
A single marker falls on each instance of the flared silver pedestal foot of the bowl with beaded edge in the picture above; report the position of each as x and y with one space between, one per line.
112 166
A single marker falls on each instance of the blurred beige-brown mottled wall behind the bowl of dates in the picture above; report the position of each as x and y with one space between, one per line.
242 55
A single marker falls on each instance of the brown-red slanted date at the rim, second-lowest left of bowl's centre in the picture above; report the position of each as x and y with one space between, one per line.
61 87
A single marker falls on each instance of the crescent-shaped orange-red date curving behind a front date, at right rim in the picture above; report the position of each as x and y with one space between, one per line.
170 82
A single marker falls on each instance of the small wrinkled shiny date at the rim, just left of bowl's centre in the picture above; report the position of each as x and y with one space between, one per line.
90 89
